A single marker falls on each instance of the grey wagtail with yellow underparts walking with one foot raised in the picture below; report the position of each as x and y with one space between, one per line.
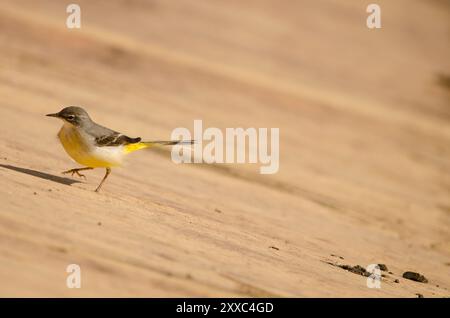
95 146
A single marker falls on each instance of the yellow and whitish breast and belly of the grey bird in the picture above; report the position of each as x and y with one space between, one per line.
81 151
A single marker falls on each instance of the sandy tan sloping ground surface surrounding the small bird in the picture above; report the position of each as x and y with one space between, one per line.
365 148
